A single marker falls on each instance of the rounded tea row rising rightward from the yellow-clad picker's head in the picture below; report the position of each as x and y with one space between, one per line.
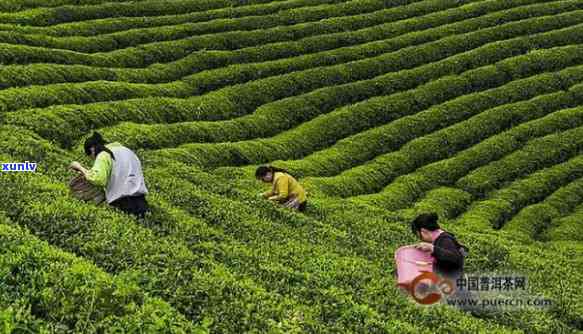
366 145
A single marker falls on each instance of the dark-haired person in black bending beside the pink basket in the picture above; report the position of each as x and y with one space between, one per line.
443 246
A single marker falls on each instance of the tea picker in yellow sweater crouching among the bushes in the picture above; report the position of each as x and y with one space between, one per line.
285 188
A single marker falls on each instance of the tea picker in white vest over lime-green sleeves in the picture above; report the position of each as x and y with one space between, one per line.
118 171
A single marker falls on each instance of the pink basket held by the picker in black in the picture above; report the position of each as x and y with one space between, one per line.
411 262
